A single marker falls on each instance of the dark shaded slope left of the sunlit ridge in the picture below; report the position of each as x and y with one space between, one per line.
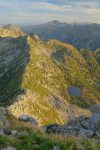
14 56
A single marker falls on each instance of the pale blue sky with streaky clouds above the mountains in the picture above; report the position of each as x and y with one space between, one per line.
41 11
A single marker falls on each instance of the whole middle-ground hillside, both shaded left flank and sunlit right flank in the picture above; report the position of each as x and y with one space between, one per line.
35 78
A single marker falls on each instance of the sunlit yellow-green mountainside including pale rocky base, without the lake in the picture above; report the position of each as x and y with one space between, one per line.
54 66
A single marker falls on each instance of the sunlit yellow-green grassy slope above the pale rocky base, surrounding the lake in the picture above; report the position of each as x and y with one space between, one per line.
55 66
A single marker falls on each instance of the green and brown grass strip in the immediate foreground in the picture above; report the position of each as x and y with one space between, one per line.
30 135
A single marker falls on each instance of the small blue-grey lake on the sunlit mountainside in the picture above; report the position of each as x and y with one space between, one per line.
74 91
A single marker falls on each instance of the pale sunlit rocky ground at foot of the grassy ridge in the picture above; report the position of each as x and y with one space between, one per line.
29 104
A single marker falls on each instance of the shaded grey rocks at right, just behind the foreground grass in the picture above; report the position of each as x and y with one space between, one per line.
88 127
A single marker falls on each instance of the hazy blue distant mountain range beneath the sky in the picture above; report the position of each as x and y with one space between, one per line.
80 35
